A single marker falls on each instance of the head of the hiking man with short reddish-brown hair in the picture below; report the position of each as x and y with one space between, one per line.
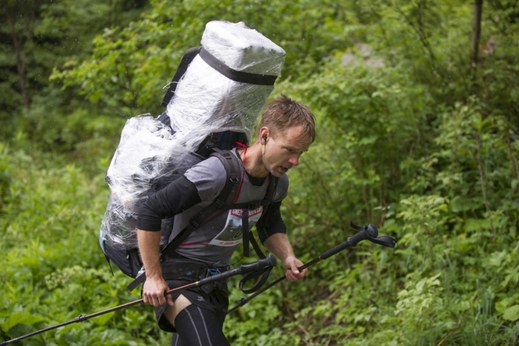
286 130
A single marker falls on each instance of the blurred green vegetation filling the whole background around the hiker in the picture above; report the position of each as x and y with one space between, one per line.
417 104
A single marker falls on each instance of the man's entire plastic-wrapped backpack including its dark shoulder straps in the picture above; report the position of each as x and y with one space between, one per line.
151 155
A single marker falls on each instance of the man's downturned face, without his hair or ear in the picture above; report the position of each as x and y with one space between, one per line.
283 150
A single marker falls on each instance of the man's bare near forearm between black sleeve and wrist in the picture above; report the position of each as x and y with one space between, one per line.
149 247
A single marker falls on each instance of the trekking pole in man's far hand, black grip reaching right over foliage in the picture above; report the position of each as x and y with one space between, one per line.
369 232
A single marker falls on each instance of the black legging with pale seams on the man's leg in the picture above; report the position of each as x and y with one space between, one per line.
198 327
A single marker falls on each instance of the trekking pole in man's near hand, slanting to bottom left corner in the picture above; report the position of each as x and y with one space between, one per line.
262 264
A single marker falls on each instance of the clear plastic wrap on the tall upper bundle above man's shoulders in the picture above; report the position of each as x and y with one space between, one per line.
206 101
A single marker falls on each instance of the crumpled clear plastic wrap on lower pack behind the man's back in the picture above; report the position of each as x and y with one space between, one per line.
141 165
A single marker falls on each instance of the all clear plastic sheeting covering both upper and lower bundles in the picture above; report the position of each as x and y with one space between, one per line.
150 154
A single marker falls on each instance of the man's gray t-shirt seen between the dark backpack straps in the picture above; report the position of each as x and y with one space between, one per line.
216 240
